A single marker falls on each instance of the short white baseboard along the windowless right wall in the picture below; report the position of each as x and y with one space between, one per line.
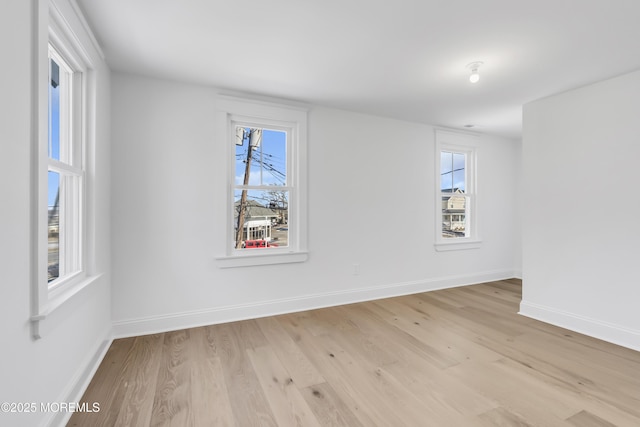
609 332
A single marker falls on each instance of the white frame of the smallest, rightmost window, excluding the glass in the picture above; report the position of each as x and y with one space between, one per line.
466 144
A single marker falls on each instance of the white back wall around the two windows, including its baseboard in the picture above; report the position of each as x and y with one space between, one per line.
370 198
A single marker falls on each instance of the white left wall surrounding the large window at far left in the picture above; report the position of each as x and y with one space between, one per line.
54 368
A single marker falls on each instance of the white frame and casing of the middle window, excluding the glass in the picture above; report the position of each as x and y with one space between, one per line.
232 112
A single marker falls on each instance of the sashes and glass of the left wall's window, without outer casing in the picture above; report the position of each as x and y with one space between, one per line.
64 171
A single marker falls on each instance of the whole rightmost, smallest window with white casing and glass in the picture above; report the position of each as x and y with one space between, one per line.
456 215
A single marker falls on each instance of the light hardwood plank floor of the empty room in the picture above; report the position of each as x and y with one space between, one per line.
455 357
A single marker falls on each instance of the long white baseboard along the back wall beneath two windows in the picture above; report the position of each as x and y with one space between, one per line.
176 321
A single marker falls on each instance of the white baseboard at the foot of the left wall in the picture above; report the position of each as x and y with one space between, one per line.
78 385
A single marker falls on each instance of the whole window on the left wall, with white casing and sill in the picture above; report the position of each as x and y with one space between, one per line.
64 145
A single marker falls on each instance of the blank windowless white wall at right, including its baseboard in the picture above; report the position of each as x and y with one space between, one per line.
580 222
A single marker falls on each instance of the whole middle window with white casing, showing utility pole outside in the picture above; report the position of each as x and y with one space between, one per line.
266 203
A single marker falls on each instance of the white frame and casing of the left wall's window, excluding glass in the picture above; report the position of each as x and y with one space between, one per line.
56 36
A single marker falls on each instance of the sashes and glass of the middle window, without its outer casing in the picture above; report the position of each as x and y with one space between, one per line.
261 193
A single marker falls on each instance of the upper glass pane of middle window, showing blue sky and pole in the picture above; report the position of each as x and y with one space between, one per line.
260 157
